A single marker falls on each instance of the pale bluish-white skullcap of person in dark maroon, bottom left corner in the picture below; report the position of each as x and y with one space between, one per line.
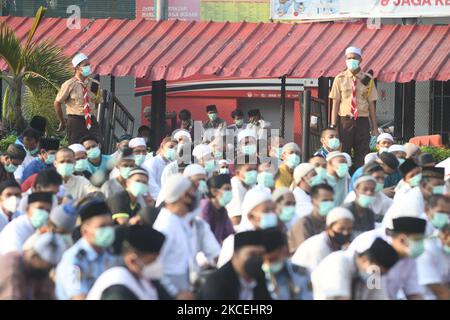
50 247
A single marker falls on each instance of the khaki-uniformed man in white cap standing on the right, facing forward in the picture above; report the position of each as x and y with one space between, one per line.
354 95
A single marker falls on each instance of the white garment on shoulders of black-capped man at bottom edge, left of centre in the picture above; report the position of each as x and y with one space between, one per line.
141 288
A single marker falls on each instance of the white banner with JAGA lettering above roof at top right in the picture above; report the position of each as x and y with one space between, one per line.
348 9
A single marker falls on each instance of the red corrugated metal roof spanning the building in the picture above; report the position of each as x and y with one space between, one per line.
178 49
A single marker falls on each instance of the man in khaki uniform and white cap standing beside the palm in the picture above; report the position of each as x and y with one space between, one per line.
80 108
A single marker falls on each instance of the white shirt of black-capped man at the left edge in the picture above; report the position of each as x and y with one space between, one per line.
14 235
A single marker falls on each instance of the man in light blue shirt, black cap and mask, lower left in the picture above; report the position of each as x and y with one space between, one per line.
89 257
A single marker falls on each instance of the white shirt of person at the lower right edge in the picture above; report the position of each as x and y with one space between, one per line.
433 267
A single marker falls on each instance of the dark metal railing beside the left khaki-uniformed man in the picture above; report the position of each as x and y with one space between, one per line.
114 120
